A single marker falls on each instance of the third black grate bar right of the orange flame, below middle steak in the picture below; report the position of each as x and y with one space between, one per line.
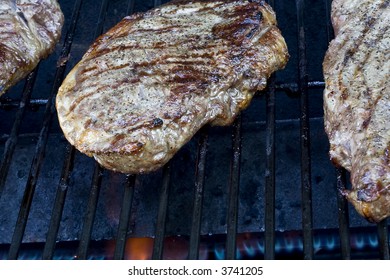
234 183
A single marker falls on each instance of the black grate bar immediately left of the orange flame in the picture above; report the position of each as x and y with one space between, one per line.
124 218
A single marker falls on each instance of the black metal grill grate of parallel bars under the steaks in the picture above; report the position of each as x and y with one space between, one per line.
269 236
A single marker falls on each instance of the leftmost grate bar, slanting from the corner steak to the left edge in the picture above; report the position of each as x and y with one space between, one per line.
10 144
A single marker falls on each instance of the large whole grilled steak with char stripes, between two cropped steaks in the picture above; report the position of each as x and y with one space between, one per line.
147 86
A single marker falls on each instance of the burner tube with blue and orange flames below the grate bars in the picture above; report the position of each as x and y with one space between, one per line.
288 245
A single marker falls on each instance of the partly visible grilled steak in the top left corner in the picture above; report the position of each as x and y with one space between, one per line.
29 30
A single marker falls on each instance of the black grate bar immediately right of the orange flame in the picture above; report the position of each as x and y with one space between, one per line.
162 214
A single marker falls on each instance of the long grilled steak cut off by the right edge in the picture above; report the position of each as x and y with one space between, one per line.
357 101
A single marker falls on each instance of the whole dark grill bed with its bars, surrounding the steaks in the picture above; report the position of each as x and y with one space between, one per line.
240 196
